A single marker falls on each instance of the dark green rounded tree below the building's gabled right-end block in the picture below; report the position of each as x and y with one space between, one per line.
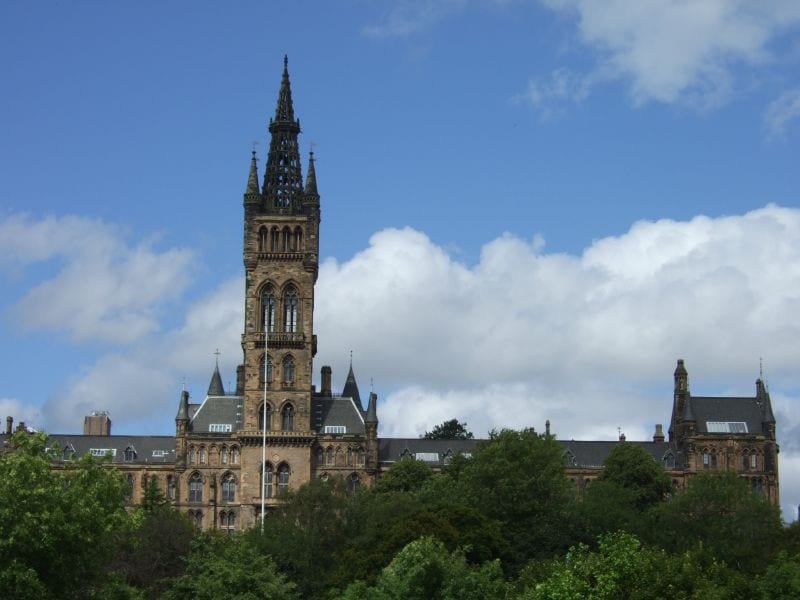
721 512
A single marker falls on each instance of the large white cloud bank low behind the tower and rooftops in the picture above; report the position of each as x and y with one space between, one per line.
587 341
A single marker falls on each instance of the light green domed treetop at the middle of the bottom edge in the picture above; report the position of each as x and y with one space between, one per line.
425 570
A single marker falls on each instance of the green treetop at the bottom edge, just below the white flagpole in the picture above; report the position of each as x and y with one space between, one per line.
229 568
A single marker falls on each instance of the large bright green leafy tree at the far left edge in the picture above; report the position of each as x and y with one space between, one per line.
58 526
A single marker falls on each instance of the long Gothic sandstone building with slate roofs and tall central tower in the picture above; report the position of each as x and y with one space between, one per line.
216 465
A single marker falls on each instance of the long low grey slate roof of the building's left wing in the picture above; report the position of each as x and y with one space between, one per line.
142 445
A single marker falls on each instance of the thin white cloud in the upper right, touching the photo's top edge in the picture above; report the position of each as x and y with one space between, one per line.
674 51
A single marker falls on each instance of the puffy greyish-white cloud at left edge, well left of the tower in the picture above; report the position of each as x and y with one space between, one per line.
103 288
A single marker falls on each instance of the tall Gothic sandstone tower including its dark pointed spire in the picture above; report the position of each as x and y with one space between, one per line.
281 248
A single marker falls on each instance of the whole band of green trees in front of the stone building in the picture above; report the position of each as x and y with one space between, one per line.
504 523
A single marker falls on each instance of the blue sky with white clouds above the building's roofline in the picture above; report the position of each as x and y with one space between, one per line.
530 209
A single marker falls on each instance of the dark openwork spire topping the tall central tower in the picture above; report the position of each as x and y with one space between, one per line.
283 179
